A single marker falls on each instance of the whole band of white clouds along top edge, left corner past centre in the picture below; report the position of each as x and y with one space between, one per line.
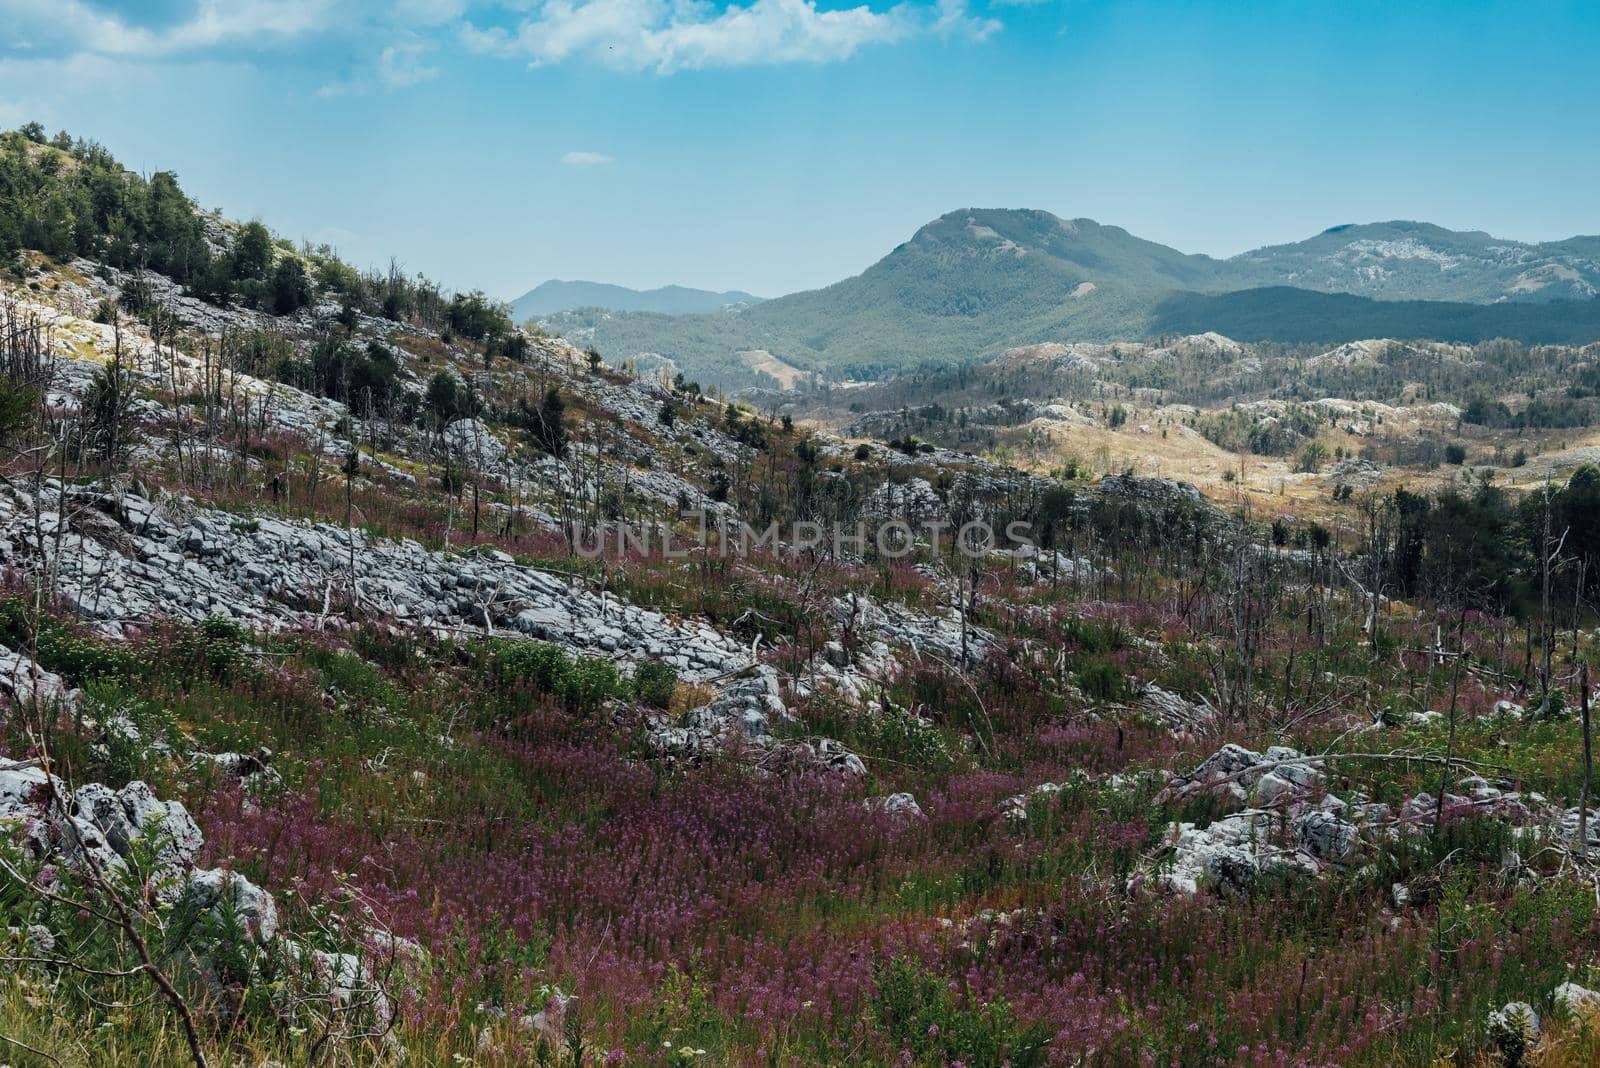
396 44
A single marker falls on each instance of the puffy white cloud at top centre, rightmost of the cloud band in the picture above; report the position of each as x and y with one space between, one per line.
668 36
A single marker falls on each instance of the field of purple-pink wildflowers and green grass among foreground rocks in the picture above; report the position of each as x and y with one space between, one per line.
494 803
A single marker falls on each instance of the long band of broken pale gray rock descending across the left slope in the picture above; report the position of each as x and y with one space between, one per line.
396 580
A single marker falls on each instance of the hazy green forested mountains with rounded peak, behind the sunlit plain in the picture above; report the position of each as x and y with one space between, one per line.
977 282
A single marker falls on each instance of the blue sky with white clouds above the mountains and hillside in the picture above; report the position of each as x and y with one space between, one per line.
783 145
